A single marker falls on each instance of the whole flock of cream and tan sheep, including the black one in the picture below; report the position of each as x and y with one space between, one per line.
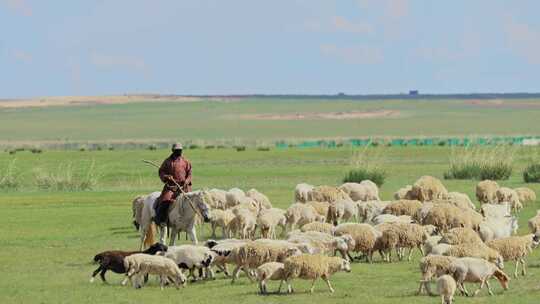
459 243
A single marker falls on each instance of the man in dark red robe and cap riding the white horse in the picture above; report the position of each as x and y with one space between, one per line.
174 171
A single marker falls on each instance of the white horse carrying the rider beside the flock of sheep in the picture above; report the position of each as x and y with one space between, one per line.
182 215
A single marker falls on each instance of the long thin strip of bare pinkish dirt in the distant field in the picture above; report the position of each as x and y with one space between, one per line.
327 115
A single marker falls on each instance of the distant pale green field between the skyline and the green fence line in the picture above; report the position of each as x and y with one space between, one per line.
268 120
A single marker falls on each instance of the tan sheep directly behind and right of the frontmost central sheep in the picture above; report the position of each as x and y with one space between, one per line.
364 235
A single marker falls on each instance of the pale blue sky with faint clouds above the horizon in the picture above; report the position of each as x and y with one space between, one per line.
58 48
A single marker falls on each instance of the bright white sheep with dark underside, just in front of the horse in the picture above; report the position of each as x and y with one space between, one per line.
192 257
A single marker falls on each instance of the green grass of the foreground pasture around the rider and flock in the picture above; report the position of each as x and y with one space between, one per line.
49 238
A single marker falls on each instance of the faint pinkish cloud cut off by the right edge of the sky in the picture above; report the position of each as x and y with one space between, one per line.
524 40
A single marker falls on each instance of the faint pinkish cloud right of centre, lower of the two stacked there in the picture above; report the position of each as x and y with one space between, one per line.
353 54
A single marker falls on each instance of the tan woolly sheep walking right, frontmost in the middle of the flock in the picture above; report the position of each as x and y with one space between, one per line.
312 267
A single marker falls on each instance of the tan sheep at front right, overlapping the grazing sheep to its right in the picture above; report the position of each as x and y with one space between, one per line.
433 266
